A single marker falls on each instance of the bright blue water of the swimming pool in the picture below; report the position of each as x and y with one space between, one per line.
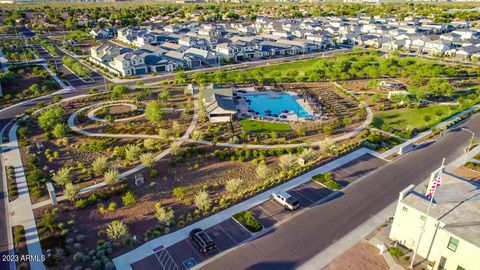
261 103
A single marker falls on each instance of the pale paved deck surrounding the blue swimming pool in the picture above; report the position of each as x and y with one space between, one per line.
291 116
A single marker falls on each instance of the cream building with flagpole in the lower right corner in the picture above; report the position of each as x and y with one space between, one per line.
451 239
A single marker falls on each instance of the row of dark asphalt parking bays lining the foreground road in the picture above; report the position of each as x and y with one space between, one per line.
227 234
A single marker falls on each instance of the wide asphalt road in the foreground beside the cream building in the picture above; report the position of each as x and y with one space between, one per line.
298 240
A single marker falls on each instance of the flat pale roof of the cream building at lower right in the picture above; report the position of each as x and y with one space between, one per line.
456 206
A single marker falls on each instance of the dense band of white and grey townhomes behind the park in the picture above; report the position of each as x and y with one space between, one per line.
154 48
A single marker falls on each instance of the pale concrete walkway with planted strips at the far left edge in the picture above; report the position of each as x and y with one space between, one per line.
20 210
